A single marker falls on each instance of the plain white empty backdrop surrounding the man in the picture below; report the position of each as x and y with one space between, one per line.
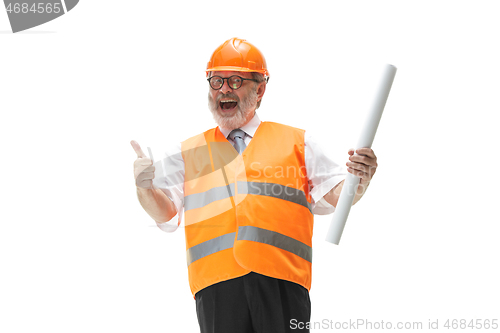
78 253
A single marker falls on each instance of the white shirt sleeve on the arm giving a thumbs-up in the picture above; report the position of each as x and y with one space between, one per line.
169 177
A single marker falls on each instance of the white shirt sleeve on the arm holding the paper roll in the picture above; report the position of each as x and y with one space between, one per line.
323 173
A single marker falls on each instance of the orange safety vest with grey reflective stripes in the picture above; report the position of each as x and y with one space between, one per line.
249 212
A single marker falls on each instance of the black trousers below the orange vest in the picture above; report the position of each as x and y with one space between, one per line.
253 303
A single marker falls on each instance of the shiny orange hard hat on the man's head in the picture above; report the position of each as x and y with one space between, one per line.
237 55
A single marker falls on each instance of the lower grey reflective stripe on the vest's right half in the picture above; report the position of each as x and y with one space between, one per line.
275 239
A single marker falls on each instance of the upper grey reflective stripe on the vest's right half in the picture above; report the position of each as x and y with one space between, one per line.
276 191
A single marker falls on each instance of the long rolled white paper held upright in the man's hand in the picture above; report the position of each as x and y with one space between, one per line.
365 141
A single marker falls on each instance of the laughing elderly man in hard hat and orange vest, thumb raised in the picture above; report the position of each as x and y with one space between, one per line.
248 190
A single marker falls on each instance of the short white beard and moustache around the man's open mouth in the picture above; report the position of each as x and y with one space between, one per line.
245 110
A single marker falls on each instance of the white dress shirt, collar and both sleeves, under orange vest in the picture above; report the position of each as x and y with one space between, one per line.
323 174
